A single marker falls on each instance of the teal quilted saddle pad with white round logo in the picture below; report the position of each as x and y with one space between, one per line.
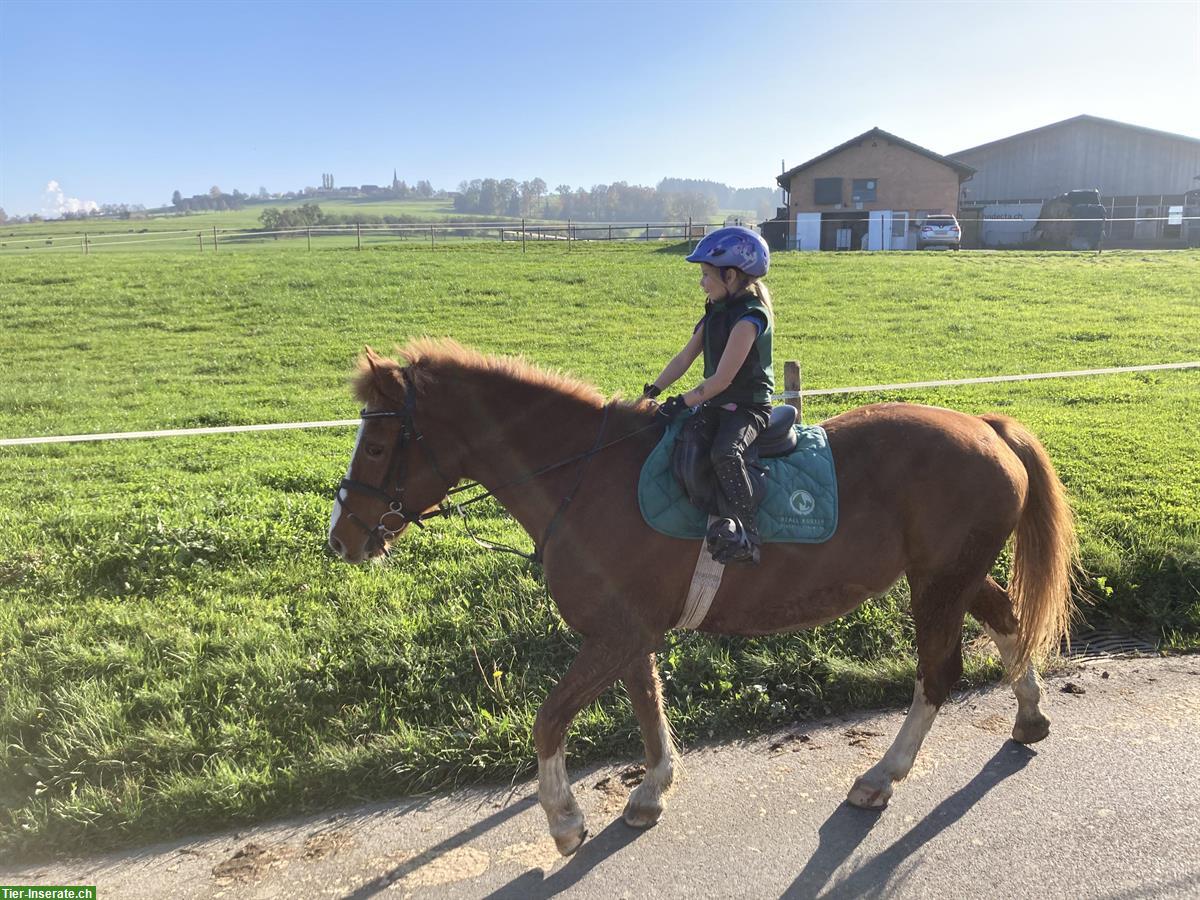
802 493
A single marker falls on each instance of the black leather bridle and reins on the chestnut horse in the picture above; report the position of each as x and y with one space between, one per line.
395 476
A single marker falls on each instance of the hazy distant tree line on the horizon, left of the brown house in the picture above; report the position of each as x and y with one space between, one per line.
619 202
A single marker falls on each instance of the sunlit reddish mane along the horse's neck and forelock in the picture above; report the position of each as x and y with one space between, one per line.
429 358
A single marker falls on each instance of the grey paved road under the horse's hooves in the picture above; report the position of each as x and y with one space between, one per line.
1106 808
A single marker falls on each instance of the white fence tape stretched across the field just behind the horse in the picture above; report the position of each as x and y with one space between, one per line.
784 395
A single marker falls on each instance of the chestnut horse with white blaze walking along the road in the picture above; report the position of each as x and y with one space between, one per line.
928 494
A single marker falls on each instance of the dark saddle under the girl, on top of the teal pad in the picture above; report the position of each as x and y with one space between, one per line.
694 471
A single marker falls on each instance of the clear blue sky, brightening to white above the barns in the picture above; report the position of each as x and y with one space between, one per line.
129 101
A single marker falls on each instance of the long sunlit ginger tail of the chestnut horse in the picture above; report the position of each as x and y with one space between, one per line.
1046 553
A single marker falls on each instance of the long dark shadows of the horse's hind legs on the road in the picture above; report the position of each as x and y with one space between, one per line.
848 827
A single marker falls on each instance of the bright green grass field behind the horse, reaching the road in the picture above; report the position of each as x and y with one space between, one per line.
178 651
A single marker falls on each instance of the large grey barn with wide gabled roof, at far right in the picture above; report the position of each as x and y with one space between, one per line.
1144 178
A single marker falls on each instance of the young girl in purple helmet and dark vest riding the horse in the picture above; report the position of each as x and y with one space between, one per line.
735 337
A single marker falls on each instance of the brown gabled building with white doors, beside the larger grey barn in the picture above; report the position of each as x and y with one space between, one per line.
868 194
